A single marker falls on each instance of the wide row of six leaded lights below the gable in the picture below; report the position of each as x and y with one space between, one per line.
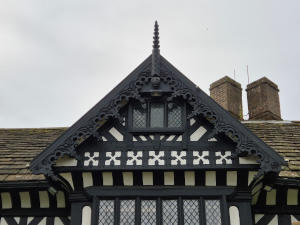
173 211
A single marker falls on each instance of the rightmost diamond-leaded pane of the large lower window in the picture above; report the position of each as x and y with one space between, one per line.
212 212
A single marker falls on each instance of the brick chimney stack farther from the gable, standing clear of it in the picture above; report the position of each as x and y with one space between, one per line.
263 100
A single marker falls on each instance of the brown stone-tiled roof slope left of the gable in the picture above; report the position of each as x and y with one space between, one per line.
19 146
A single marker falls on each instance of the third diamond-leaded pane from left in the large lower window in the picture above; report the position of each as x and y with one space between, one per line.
148 212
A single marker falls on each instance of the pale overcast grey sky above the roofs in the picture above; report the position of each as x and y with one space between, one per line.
59 58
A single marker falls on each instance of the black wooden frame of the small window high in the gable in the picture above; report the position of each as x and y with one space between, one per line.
164 129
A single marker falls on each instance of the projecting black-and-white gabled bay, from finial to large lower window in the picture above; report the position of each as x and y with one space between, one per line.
158 142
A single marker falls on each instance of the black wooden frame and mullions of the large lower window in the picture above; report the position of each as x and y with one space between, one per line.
159 194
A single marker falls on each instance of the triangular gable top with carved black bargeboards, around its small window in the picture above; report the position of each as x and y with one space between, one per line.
156 77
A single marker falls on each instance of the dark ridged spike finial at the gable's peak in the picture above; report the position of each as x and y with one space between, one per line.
155 52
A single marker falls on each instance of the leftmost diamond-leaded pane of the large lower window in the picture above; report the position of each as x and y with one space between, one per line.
106 212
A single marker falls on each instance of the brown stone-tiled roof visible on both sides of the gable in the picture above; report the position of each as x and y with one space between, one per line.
19 146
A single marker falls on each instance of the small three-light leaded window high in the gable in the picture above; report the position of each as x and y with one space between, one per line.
156 115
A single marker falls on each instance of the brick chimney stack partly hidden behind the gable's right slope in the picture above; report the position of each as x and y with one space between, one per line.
228 93
